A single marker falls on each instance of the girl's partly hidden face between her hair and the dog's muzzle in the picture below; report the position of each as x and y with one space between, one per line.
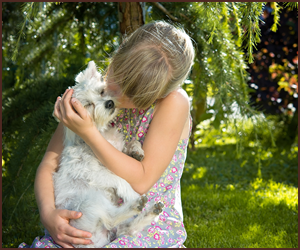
115 90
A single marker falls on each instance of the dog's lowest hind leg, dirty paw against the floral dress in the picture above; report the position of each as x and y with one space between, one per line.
142 220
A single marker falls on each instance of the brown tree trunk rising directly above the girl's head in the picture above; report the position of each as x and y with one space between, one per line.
130 16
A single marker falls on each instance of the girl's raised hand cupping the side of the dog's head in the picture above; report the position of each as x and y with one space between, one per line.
73 115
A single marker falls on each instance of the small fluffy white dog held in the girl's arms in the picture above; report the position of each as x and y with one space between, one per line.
83 184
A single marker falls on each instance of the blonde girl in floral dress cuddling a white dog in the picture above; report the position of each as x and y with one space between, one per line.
145 74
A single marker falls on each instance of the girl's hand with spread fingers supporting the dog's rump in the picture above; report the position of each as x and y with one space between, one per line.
57 224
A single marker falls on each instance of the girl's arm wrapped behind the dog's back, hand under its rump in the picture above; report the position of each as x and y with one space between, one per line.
56 221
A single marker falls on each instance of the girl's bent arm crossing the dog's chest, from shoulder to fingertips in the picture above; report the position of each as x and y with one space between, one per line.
168 123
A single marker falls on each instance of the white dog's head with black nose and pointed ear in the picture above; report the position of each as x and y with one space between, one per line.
91 92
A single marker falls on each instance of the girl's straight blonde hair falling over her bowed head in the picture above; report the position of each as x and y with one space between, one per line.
152 62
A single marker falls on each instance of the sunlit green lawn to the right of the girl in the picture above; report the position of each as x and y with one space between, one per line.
231 202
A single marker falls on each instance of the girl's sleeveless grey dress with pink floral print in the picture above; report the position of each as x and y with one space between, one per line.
168 230
